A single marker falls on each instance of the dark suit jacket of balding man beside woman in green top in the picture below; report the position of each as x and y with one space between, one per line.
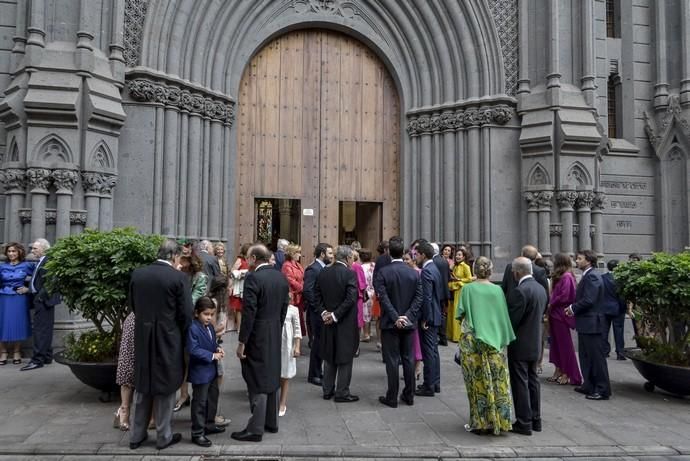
526 309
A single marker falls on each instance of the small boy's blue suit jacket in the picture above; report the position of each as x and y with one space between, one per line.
201 346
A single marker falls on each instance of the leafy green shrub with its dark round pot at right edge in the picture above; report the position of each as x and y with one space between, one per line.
659 289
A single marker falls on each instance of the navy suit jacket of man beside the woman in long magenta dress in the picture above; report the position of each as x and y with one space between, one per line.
587 306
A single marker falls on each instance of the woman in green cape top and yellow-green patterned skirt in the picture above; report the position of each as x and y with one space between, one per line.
485 332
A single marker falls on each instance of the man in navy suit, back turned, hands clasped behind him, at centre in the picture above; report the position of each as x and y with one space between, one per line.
399 290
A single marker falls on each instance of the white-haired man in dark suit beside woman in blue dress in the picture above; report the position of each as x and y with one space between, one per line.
44 309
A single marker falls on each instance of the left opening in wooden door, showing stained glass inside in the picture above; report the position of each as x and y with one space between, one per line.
276 218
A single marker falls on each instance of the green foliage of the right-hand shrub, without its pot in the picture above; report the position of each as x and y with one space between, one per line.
659 288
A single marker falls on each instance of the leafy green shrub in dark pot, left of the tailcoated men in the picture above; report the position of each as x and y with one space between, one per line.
91 271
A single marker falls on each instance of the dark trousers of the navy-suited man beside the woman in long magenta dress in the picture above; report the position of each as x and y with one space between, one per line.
595 372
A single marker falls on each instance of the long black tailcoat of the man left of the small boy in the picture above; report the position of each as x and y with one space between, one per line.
160 297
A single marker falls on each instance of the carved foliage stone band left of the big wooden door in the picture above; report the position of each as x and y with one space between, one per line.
183 97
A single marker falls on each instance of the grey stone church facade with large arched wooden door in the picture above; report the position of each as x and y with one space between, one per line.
563 123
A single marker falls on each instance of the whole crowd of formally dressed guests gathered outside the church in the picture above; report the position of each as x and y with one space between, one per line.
410 298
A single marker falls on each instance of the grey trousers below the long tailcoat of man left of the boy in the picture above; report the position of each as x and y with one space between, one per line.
162 406
